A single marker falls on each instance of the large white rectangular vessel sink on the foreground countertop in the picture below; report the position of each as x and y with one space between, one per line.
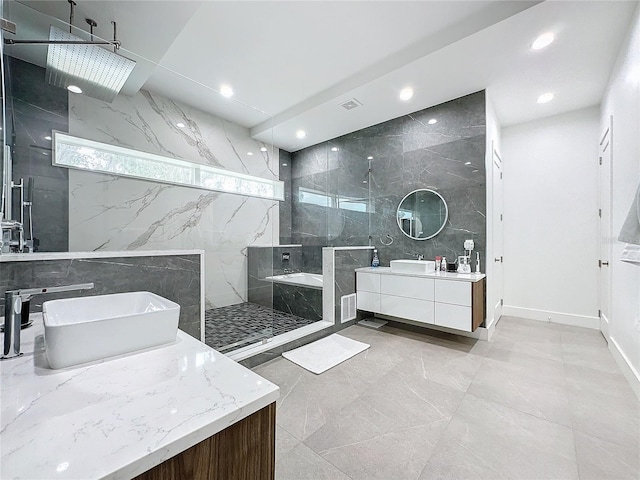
84 329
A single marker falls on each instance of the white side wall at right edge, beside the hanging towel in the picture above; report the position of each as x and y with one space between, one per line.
622 100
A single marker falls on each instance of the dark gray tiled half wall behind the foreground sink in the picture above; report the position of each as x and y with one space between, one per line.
176 277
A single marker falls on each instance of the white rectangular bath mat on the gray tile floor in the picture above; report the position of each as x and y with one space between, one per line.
326 353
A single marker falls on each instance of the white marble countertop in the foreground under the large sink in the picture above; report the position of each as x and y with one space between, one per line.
120 417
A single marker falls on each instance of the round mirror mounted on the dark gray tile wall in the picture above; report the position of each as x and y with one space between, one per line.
422 214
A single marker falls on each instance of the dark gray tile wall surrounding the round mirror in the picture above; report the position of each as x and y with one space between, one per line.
408 154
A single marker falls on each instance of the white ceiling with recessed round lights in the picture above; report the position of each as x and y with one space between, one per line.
295 62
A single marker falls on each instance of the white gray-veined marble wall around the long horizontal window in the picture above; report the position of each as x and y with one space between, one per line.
115 213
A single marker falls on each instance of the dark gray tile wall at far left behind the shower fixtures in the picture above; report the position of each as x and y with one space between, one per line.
35 108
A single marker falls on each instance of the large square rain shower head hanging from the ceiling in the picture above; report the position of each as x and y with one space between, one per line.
97 71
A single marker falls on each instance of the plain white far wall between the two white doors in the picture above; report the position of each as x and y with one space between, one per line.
550 218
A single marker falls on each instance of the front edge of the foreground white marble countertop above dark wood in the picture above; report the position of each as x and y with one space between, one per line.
181 444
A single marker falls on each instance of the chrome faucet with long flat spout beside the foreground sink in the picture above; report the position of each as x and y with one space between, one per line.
13 300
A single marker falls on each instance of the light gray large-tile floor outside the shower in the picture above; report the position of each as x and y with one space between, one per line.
443 406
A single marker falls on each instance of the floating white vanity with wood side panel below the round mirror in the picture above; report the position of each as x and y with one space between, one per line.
444 299
